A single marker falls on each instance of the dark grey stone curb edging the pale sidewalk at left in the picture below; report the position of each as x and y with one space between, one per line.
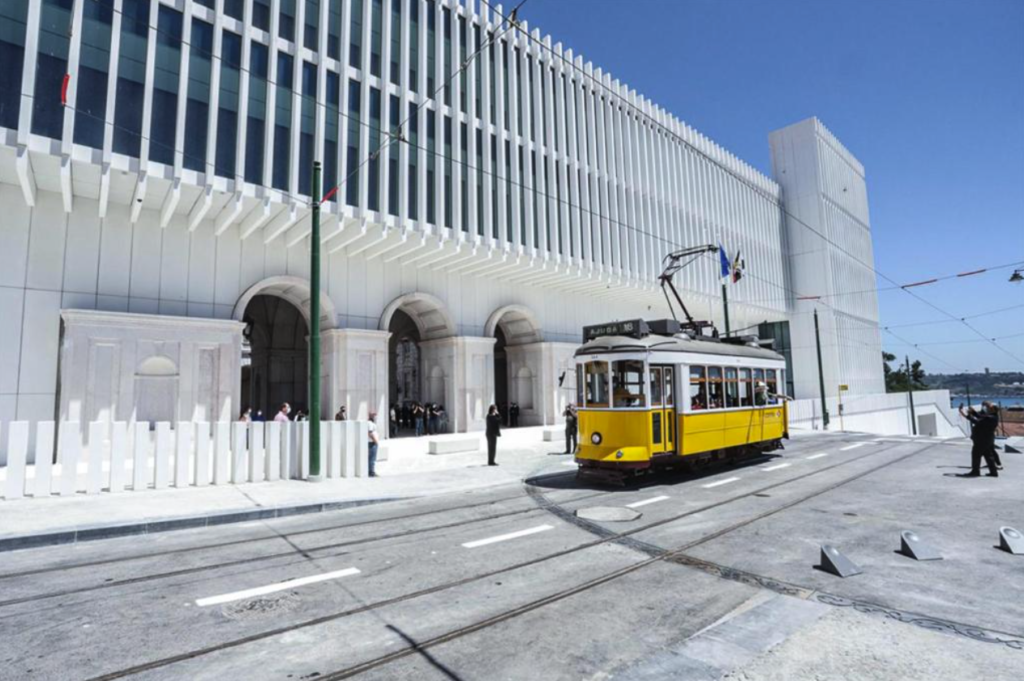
94 533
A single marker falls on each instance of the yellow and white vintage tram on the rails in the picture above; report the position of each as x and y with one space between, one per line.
651 397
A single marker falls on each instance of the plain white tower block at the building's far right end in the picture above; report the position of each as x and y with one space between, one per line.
830 261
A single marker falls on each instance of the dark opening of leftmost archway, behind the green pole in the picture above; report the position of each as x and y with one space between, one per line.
275 356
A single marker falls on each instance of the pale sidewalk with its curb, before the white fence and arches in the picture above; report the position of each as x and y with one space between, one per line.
28 523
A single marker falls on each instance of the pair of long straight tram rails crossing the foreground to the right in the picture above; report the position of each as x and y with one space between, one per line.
508 615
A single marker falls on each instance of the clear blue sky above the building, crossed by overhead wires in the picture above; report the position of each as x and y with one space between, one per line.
929 95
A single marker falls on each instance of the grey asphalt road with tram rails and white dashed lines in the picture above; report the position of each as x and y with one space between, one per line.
508 584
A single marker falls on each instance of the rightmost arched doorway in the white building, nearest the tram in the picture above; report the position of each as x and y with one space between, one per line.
514 327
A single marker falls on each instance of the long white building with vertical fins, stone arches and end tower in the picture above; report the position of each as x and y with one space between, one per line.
495 194
